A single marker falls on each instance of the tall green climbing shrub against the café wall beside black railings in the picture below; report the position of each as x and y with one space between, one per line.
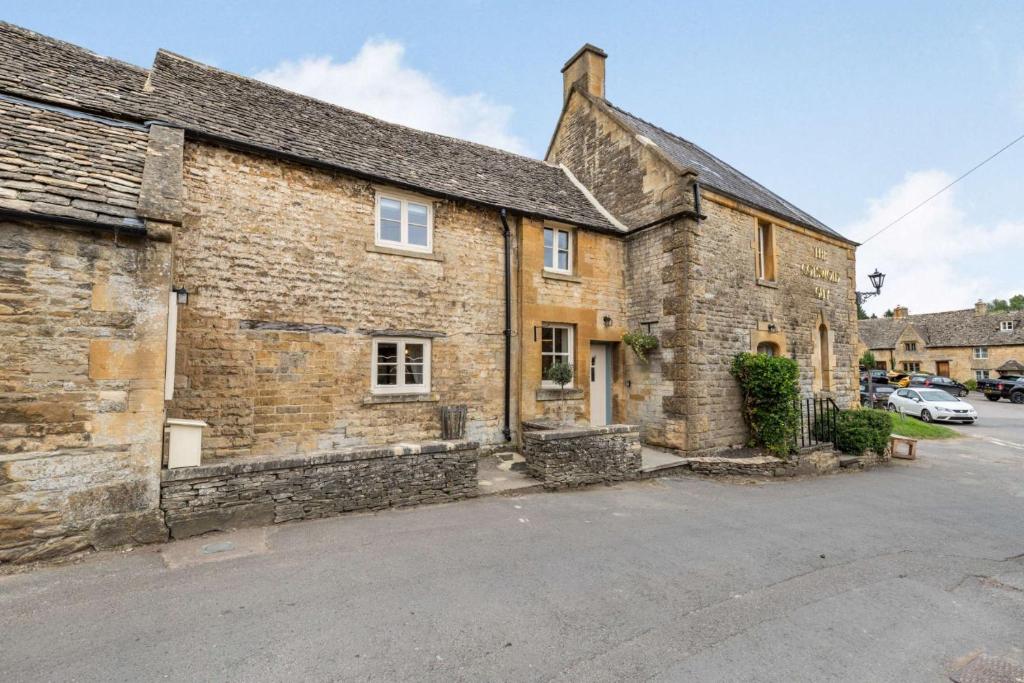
771 394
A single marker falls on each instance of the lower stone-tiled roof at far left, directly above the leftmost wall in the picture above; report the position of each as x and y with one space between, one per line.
61 164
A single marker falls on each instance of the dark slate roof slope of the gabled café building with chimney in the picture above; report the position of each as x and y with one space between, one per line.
716 175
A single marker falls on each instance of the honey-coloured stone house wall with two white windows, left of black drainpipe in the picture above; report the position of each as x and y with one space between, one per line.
287 290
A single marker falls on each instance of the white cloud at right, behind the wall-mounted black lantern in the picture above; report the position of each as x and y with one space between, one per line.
937 259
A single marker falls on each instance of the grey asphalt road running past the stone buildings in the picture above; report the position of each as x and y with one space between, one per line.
901 574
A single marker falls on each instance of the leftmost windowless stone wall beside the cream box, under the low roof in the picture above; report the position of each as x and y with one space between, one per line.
82 348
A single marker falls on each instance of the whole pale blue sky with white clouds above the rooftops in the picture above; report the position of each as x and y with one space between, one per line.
852 111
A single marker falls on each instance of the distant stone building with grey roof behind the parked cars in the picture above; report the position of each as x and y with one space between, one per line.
974 344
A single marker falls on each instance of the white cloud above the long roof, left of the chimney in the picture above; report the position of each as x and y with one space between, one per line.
377 82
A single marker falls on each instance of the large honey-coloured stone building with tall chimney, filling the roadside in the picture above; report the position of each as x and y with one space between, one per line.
316 284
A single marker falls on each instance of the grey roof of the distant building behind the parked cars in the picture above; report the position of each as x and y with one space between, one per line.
953 328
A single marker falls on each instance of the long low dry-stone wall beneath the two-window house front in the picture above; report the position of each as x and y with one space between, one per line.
231 495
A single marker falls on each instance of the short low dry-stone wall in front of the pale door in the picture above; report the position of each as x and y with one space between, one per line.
575 456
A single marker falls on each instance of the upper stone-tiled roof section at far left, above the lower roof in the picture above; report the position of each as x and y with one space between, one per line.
40 68
